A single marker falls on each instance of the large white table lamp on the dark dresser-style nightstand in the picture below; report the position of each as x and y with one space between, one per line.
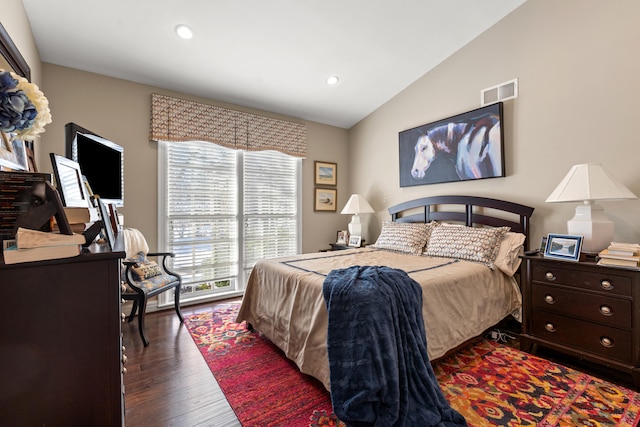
588 183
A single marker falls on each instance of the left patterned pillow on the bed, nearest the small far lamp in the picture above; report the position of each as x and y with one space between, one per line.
408 237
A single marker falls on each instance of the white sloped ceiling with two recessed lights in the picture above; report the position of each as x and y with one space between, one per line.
273 55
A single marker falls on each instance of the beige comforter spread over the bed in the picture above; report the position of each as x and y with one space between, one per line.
284 301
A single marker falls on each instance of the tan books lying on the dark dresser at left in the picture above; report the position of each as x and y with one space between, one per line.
33 245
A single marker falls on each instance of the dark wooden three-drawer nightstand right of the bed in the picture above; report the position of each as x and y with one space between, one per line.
584 310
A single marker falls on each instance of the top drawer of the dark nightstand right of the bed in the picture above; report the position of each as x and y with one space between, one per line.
596 281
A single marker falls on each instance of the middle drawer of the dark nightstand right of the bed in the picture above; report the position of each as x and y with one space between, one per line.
609 311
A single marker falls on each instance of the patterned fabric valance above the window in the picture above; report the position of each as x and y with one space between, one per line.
174 119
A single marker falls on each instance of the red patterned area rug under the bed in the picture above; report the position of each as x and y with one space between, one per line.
488 383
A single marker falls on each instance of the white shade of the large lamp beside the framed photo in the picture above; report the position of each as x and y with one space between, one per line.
589 181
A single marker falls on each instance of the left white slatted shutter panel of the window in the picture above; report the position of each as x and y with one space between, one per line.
202 211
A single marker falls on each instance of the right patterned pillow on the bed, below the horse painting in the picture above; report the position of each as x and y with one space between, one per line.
467 243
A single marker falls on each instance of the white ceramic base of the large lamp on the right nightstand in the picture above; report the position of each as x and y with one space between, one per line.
591 223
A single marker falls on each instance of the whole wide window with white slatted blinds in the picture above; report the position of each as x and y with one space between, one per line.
221 210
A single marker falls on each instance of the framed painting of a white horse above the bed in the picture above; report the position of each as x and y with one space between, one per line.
464 147
